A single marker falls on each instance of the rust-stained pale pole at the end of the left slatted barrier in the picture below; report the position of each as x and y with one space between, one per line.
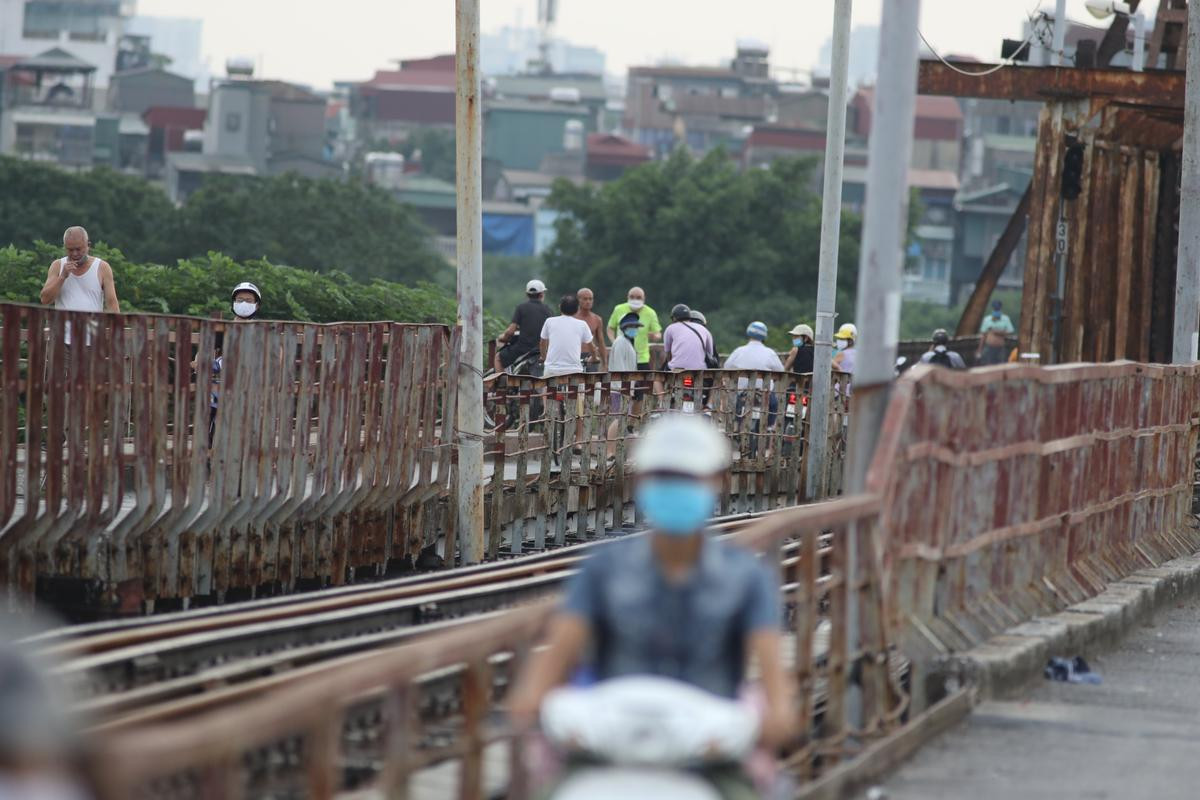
469 172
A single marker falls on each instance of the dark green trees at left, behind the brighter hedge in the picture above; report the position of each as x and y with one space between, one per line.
287 220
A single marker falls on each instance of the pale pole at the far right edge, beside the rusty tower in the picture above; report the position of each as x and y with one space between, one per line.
1187 268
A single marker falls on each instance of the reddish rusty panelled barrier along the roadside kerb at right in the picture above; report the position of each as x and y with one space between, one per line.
1013 492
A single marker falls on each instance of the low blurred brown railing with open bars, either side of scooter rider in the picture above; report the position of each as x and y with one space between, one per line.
375 725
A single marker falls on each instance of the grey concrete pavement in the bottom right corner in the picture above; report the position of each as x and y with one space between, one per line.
1137 736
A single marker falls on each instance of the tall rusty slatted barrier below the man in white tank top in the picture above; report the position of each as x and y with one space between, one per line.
325 452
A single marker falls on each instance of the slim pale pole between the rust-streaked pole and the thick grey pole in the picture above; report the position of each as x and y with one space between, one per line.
831 234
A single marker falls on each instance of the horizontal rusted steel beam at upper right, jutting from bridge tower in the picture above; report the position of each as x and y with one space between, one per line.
1145 89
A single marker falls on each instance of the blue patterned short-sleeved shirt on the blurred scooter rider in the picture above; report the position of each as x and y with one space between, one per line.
694 631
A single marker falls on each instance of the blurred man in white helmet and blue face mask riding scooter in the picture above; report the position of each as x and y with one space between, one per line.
676 603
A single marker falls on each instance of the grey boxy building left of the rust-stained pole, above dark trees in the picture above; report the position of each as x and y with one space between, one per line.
256 128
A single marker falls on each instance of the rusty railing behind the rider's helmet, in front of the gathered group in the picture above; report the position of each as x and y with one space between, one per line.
560 455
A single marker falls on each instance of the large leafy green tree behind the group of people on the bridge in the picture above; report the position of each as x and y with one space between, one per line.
739 246
